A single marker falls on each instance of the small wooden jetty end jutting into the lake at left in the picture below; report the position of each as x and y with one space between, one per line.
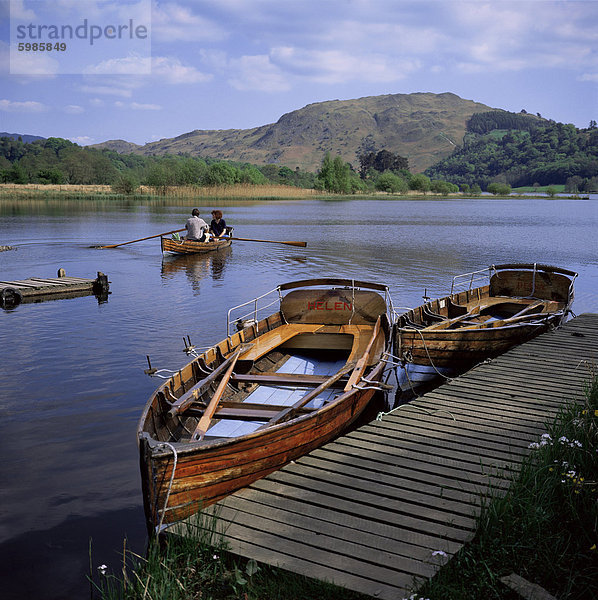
36 289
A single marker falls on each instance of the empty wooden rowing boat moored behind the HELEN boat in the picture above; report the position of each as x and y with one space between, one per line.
447 336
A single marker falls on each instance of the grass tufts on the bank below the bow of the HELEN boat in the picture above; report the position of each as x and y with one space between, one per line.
195 564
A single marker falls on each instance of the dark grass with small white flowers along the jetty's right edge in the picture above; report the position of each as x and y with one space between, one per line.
545 529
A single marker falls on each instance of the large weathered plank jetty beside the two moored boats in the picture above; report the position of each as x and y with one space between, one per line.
384 507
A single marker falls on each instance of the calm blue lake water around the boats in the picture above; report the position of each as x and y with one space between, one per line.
72 384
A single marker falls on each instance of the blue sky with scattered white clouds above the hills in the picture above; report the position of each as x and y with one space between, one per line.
143 70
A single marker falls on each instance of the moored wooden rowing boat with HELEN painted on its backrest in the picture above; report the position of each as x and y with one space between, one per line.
273 390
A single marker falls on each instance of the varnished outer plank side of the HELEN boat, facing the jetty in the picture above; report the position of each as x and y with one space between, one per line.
207 474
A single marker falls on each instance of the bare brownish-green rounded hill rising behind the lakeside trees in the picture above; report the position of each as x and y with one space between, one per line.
423 127
